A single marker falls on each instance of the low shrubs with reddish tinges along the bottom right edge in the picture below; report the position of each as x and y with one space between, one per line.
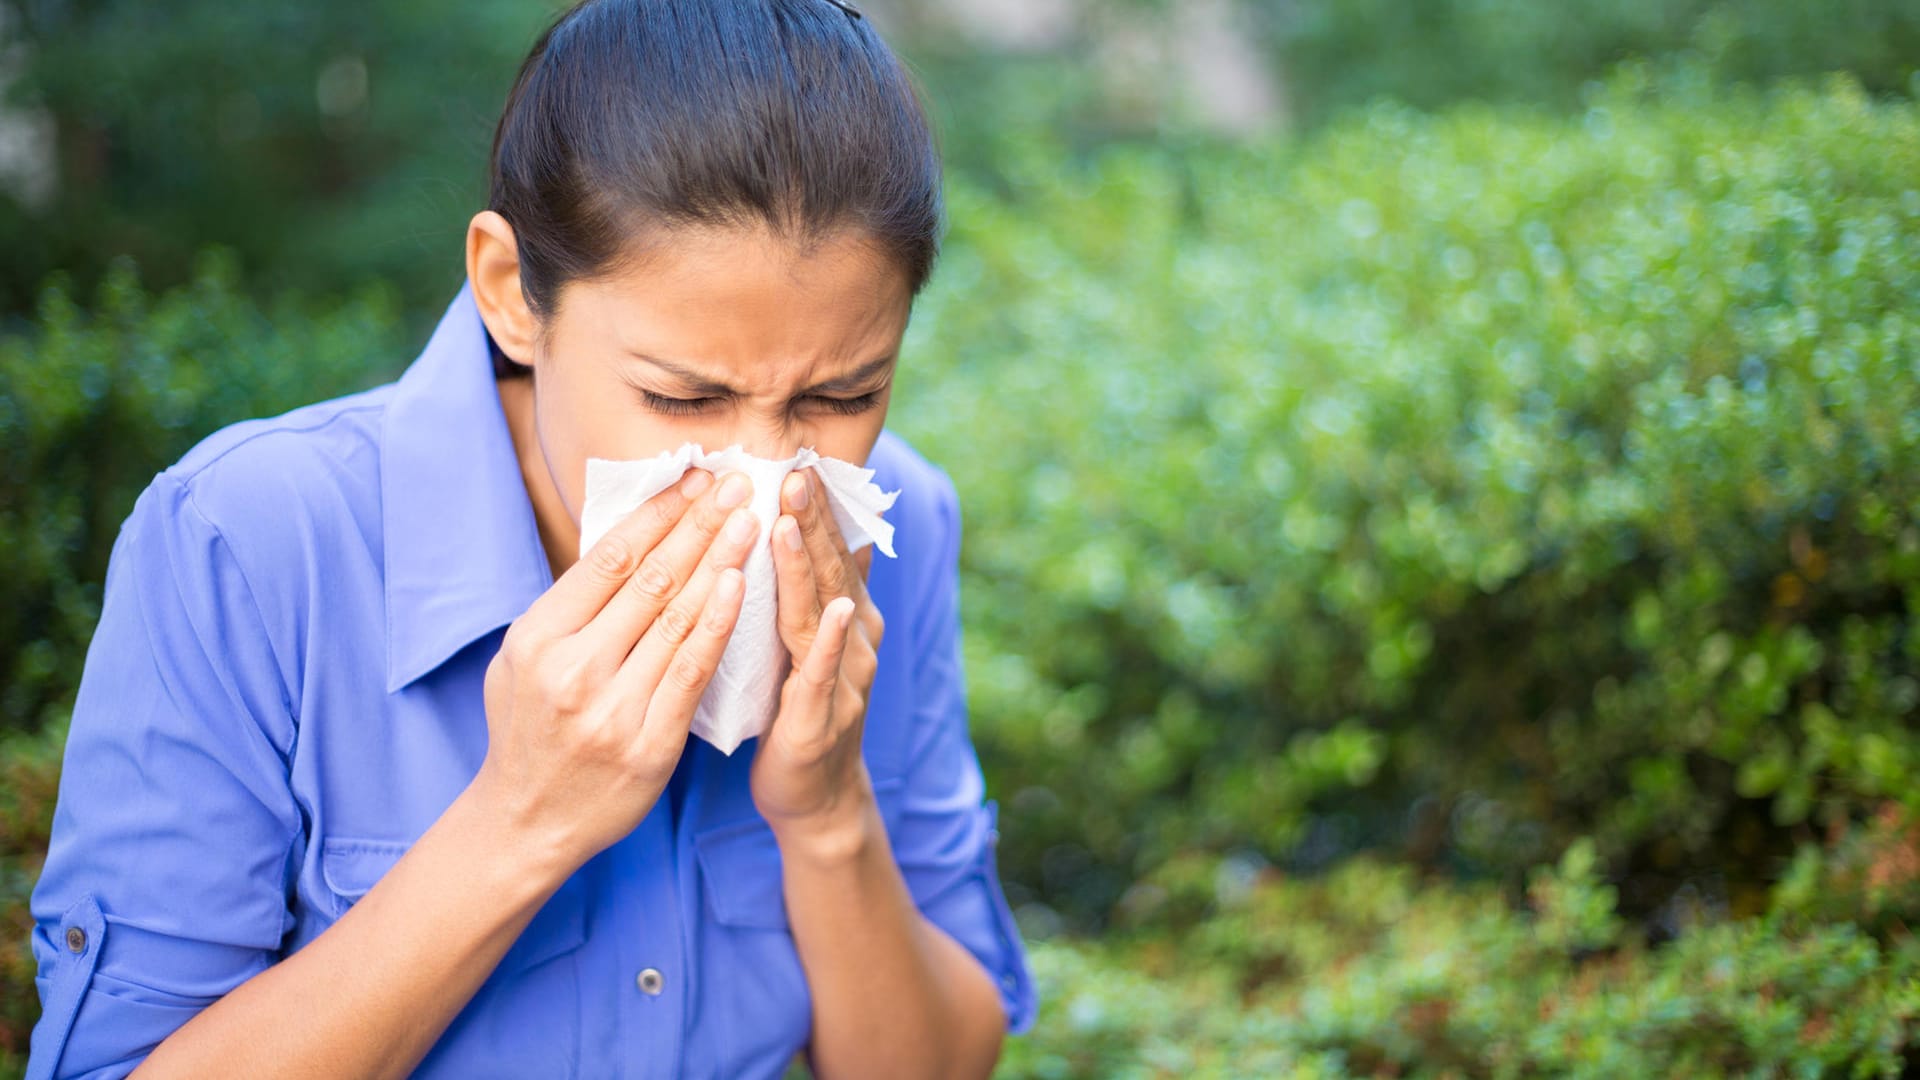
1372 971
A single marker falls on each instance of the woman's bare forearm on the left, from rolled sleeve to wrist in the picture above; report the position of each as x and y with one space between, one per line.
377 989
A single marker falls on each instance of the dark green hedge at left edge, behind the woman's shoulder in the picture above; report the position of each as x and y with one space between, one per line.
95 403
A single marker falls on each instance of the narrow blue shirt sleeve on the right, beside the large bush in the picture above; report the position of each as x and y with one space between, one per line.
946 837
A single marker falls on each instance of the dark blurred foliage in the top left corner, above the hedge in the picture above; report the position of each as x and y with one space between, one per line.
324 143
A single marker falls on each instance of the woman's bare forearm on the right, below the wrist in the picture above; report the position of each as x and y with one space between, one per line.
894 994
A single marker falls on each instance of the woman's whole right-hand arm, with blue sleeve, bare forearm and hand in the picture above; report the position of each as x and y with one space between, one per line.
896 993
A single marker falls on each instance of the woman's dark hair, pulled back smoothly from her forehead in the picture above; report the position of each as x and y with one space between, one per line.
638 116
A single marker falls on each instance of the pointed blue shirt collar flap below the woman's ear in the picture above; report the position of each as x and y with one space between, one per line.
464 551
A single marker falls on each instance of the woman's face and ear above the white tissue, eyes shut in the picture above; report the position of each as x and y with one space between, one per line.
721 337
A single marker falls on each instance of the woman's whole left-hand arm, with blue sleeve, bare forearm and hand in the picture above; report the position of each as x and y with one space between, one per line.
592 693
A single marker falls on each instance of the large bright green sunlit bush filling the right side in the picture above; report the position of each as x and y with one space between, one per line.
1466 483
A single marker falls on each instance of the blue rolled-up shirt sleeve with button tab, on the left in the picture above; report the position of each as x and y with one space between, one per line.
176 831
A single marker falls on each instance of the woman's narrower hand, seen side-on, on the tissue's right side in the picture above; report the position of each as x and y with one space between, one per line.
809 773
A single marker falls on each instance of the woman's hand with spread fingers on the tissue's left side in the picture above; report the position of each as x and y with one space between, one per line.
592 693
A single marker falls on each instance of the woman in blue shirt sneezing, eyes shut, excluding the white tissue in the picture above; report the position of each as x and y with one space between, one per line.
372 775
